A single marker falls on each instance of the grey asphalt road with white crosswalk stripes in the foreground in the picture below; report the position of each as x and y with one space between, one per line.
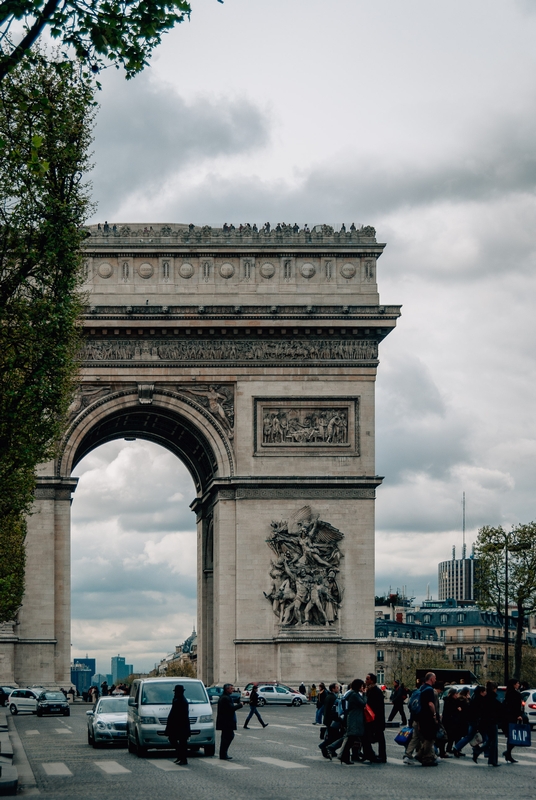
280 762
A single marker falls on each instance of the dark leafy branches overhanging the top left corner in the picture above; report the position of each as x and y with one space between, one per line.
118 31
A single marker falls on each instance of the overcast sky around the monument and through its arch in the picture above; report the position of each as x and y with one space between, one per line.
416 117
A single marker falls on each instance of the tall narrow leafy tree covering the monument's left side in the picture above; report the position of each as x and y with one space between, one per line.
46 115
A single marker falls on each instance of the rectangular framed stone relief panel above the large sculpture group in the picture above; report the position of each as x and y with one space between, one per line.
312 426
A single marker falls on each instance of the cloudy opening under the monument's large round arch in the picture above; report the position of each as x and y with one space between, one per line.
134 547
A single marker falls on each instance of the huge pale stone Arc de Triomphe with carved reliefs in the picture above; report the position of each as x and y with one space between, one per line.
252 356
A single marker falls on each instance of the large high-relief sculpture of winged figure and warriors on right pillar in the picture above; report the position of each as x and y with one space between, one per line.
305 587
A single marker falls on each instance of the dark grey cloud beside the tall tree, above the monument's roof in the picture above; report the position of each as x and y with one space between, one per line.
146 132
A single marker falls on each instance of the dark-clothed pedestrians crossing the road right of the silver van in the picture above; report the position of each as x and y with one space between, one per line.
353 721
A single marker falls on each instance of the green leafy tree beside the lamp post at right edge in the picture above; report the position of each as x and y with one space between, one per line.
490 548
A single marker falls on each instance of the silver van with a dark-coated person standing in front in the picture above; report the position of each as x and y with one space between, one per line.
149 705
